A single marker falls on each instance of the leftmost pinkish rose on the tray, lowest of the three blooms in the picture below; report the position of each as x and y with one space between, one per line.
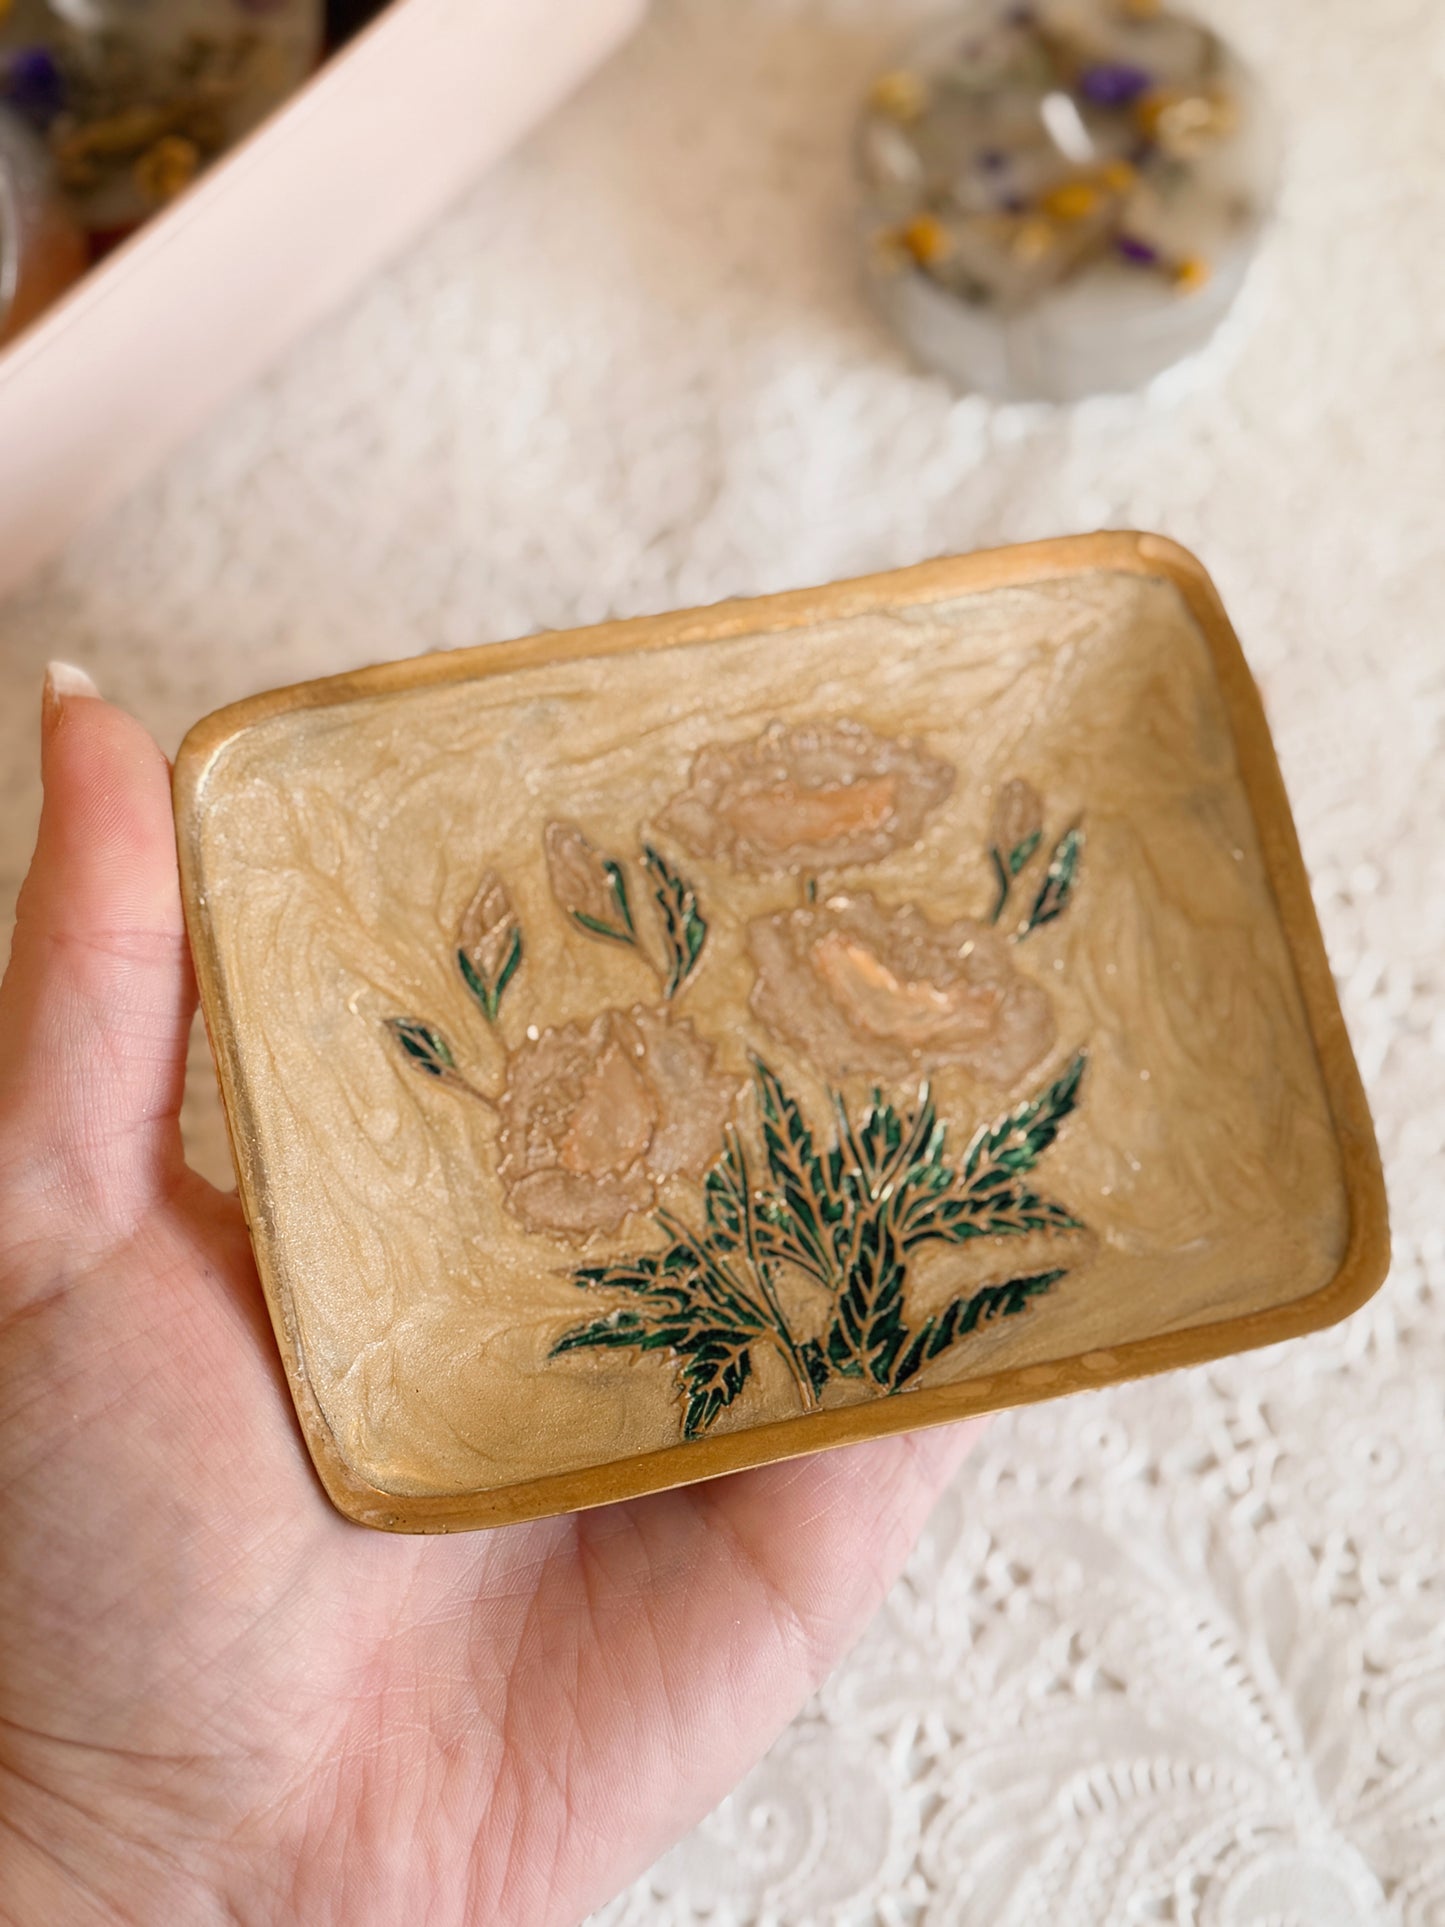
594 1121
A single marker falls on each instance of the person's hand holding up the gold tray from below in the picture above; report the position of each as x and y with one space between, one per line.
219 1701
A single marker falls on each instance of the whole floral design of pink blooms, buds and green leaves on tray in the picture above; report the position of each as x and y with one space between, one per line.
799 1240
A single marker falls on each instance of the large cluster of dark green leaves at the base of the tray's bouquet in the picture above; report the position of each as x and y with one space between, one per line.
849 1221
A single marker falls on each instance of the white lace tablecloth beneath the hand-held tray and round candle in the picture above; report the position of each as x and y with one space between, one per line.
1172 1656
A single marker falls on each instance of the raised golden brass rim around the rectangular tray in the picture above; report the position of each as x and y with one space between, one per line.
1363 1265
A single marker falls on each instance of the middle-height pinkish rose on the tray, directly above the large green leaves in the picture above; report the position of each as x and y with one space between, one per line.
887 993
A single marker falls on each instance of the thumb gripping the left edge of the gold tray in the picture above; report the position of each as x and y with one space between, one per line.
97 1003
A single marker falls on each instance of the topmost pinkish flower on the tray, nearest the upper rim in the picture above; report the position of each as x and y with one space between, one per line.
812 797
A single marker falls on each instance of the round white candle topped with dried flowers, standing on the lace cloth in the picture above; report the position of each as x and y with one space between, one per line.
1063 198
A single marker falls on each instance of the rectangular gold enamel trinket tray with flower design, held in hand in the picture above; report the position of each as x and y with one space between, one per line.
687 1043
